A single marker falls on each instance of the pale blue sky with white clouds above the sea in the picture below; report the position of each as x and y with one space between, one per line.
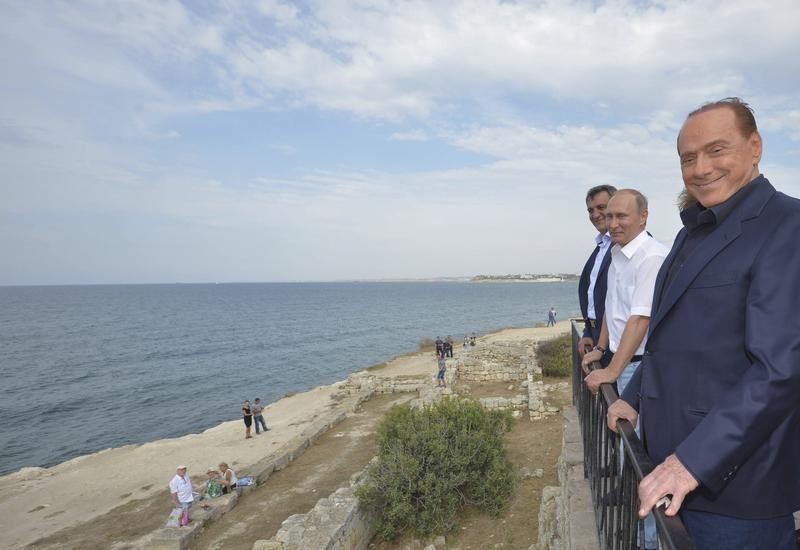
286 141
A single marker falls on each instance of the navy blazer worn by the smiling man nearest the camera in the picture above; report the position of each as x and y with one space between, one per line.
719 384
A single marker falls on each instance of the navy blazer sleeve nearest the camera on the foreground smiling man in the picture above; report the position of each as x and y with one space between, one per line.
767 393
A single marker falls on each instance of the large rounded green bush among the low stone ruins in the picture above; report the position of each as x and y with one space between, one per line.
434 460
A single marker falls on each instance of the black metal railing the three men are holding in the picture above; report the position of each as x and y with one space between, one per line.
614 463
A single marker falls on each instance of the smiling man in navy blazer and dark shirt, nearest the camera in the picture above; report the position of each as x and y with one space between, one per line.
718 390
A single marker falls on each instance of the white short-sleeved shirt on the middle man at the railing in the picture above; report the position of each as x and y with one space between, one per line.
631 282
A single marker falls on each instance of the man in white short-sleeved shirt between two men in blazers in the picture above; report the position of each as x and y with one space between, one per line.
636 258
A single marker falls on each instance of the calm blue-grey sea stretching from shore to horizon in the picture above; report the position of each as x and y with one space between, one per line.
86 368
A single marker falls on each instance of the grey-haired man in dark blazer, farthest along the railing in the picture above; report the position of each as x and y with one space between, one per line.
592 286
